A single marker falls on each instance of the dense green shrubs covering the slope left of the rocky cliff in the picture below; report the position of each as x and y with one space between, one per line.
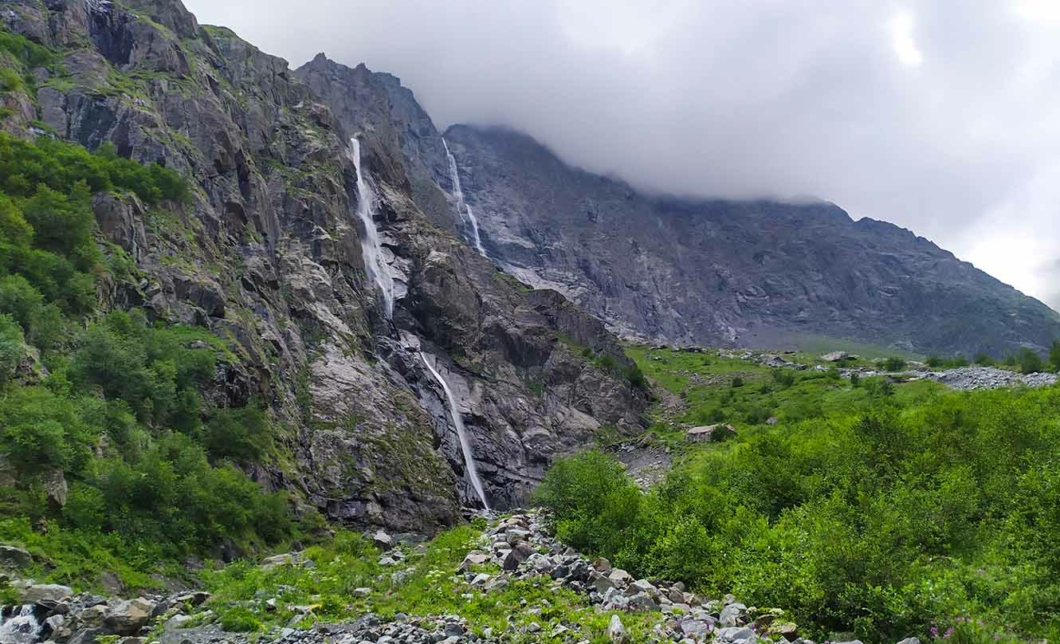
114 457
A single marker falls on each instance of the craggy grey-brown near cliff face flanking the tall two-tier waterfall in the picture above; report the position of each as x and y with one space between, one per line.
269 256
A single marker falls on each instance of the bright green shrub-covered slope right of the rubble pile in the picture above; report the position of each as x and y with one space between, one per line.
906 510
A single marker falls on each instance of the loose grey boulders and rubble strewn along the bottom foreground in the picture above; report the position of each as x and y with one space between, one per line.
516 548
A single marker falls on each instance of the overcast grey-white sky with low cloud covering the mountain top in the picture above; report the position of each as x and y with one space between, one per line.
943 117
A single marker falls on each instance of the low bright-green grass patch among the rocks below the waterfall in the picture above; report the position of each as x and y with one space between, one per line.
428 583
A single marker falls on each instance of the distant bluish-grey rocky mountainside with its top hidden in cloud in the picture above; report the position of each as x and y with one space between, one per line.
756 274
